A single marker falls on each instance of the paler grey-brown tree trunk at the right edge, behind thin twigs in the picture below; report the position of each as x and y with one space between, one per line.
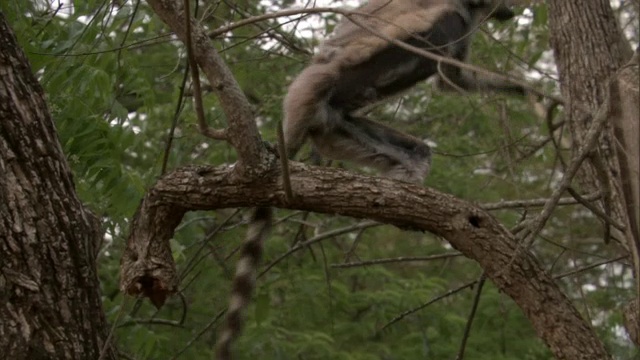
590 50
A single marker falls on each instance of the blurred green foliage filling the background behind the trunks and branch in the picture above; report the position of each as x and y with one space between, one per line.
115 81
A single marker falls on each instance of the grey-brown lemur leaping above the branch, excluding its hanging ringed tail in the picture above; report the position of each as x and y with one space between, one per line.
357 68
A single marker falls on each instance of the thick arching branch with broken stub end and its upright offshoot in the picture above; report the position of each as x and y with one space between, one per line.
147 267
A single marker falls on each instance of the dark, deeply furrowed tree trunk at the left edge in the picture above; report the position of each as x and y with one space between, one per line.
50 304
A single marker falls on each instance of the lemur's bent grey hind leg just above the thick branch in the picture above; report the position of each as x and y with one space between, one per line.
358 139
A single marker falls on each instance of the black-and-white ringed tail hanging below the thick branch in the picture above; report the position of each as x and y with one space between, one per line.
244 280
